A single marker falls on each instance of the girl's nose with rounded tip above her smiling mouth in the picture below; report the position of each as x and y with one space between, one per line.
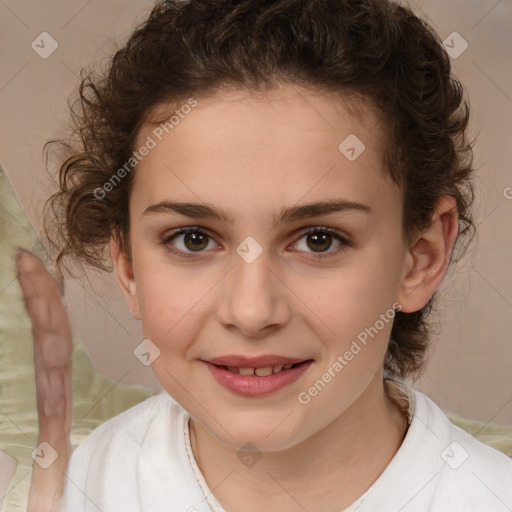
254 299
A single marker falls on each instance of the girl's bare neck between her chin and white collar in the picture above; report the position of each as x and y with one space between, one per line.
328 471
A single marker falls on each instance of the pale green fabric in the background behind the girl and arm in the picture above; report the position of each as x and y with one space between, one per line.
95 397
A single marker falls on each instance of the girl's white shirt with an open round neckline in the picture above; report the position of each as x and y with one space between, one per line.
142 460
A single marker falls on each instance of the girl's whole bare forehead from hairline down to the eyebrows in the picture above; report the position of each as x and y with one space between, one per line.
278 145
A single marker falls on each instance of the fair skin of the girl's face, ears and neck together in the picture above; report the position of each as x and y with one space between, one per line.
252 156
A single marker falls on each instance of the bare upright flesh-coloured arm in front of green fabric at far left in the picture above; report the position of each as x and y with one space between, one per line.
53 350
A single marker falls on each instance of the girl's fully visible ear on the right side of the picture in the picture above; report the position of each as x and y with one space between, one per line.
428 258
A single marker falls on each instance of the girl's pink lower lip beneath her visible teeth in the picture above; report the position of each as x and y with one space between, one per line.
252 385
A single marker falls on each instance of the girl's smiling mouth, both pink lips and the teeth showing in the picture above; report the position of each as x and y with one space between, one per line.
257 376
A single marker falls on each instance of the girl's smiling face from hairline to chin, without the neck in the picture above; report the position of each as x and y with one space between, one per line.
248 177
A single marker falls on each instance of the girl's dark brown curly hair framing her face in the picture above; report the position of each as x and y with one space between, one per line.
374 48
